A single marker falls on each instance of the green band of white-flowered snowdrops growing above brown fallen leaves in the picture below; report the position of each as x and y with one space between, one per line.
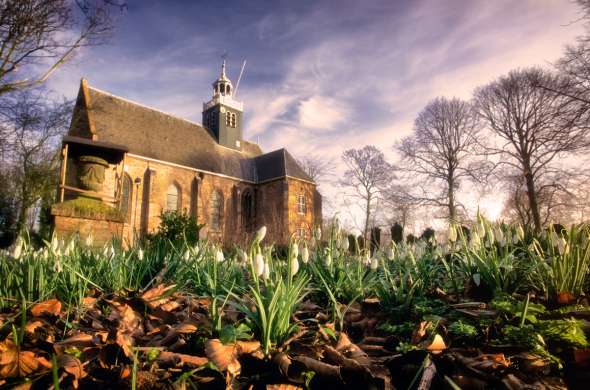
264 291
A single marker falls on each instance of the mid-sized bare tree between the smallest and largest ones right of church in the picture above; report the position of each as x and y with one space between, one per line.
438 155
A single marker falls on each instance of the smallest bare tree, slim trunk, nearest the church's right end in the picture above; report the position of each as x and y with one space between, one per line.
367 174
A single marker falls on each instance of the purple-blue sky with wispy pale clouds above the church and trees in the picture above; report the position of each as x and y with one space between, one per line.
322 76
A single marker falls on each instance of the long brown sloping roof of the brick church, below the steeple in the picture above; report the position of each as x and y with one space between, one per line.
151 133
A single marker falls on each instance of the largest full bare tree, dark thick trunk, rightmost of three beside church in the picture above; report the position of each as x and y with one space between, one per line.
533 126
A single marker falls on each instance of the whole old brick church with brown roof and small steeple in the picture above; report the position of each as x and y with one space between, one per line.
124 164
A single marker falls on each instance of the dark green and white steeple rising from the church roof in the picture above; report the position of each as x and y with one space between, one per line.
222 115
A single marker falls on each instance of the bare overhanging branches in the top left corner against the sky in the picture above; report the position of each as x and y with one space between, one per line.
38 36
